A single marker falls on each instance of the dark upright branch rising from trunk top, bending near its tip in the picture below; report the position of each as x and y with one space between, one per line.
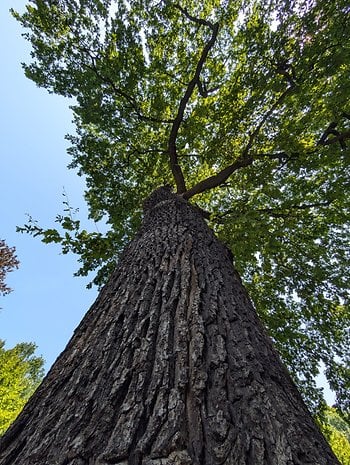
174 164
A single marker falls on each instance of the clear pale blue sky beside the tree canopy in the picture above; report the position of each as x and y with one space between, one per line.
47 303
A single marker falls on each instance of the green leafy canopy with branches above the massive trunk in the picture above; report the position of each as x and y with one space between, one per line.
243 107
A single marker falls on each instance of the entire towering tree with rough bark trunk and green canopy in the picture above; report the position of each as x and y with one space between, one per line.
242 107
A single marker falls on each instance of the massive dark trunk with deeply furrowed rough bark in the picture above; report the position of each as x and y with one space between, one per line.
169 366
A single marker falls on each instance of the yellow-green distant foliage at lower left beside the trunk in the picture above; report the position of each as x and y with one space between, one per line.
20 374
